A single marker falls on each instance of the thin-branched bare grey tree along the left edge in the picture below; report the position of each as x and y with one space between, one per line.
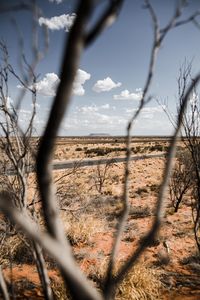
17 148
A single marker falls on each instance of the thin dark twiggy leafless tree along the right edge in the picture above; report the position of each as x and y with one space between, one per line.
186 175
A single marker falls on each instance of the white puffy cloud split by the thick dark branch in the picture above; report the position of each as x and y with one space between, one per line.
48 85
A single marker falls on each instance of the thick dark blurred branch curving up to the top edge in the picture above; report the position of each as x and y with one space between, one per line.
74 48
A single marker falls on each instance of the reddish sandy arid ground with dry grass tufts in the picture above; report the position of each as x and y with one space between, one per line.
90 200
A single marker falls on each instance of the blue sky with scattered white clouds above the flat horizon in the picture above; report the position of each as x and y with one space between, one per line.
113 70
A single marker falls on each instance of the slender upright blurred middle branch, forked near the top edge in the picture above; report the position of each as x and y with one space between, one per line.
159 35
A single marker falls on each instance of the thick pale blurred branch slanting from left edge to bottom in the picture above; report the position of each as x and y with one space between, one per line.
77 283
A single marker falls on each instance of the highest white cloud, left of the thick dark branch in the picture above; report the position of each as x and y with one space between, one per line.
58 22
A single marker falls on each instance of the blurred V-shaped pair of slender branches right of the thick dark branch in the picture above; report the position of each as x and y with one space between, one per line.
159 36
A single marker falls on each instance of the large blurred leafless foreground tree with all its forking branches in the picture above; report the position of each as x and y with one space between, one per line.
53 239
